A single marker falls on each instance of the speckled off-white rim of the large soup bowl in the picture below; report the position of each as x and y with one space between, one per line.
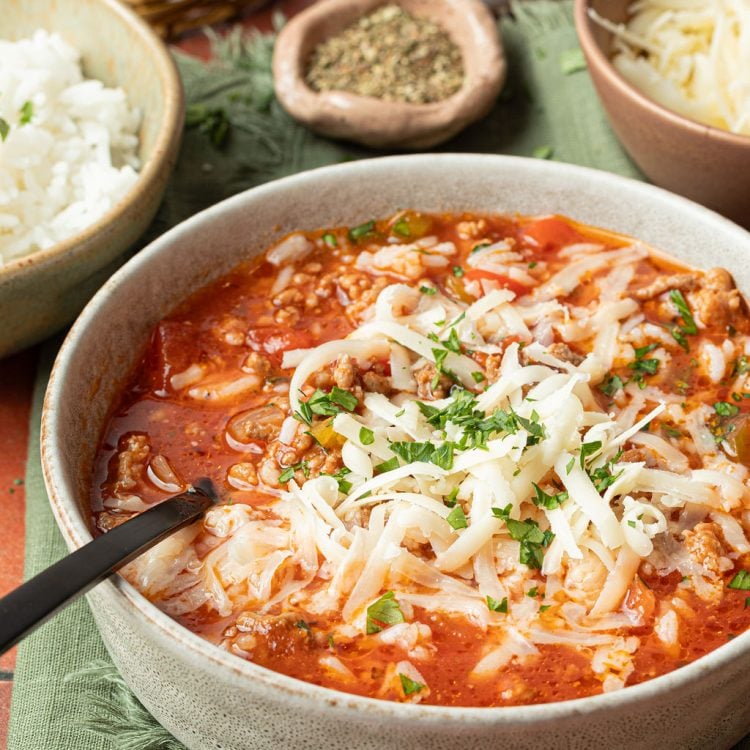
302 694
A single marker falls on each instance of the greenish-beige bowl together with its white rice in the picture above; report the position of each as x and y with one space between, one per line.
91 113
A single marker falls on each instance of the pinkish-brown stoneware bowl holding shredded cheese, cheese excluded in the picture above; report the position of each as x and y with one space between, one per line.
706 164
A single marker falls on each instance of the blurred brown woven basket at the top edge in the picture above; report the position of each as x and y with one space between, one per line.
170 18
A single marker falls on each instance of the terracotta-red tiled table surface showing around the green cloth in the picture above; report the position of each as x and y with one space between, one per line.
16 383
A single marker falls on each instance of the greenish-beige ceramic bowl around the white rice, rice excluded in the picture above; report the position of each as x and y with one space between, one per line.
43 291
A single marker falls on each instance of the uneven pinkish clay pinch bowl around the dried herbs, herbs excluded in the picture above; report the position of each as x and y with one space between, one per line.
380 123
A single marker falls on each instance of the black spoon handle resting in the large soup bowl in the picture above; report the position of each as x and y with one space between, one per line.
33 603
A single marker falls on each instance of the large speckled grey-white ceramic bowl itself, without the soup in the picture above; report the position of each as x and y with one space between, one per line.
211 699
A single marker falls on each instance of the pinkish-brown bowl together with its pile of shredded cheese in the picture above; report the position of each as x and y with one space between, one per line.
674 79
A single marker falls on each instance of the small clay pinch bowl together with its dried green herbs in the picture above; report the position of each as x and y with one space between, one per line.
406 74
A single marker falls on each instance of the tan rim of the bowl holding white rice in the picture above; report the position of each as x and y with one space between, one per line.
171 123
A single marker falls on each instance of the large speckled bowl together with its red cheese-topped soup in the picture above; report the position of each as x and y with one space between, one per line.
479 438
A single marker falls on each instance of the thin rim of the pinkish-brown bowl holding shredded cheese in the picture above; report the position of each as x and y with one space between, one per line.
614 78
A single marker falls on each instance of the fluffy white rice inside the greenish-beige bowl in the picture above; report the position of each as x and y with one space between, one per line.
76 157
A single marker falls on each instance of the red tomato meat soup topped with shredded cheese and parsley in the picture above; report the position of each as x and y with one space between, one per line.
463 460
